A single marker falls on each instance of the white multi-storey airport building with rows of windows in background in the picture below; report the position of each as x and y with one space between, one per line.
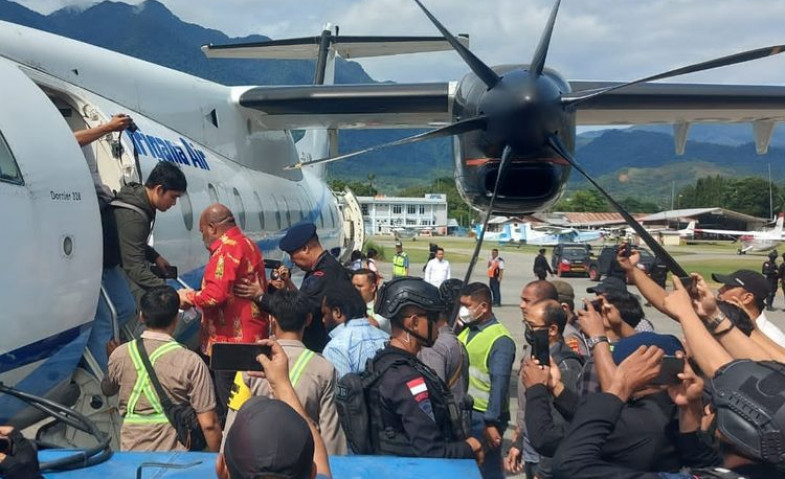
391 214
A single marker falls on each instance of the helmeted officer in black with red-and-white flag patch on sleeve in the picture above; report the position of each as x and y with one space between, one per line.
412 411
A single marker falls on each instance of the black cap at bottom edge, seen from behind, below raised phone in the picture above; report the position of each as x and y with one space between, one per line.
268 438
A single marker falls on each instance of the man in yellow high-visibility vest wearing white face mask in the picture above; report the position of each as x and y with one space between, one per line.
491 354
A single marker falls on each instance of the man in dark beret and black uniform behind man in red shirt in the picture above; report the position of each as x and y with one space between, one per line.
321 269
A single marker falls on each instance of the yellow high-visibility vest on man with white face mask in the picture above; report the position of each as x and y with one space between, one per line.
479 349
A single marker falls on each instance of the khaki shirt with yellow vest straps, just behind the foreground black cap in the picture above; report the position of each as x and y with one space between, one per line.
315 389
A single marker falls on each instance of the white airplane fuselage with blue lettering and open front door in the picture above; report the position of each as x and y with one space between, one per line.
52 241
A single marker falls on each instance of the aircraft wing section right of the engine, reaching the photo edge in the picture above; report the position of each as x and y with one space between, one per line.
680 103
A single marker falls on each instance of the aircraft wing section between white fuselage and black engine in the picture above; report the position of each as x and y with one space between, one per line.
375 105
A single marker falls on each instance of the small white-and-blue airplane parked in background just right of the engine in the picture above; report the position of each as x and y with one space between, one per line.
524 233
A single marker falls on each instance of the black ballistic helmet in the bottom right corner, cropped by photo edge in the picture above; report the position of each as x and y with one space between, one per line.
749 397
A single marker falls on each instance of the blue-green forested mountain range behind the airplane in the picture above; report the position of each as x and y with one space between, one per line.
638 161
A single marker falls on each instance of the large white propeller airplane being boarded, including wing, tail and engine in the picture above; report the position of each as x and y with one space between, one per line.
513 125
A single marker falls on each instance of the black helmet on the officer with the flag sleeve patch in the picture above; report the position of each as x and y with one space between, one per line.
408 291
